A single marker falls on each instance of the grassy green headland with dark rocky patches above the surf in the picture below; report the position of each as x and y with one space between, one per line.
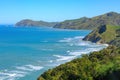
105 34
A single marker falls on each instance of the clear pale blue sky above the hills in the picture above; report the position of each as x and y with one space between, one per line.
12 11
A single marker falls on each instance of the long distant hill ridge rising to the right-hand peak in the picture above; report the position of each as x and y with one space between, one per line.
110 18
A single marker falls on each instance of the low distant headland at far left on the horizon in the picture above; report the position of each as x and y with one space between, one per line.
28 22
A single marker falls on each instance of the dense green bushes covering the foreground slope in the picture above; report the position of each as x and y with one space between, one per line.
102 65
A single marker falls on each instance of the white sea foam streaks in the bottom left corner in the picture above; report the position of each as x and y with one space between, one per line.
18 72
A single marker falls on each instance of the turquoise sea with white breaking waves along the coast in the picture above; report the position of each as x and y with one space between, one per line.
25 53
